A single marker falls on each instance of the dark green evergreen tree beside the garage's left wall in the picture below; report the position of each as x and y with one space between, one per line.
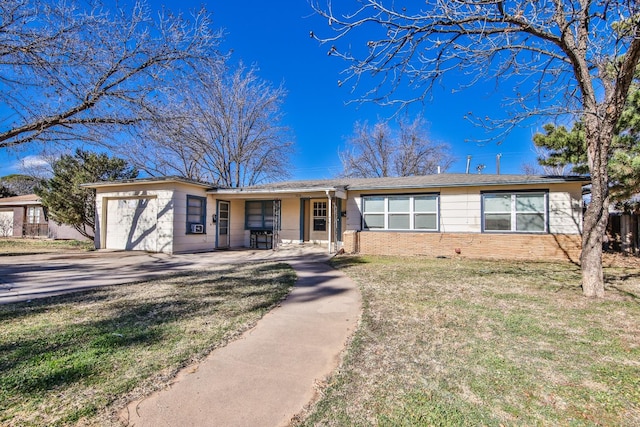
69 203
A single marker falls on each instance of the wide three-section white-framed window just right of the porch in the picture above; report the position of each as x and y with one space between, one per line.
402 212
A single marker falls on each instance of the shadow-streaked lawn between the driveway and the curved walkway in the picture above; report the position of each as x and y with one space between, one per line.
80 358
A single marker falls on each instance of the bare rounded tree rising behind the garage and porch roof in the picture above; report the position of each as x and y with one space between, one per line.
226 129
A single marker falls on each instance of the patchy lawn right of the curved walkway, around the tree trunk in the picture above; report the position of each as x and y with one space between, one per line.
448 342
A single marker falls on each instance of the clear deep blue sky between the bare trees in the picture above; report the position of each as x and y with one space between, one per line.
274 35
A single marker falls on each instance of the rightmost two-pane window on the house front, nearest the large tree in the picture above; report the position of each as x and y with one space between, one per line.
515 212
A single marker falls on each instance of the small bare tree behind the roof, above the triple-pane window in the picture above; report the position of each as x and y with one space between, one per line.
379 151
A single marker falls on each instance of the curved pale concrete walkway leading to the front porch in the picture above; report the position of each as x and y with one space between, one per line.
269 374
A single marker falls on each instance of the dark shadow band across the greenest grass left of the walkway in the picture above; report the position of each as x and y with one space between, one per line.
54 356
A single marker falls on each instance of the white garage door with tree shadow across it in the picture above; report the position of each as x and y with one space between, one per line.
132 224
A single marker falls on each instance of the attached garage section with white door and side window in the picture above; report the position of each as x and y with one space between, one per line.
154 215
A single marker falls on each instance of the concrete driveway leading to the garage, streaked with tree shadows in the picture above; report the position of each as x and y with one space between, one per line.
27 277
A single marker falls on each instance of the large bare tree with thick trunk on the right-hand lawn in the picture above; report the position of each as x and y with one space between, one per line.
560 56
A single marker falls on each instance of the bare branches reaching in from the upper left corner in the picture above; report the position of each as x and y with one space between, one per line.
73 70
